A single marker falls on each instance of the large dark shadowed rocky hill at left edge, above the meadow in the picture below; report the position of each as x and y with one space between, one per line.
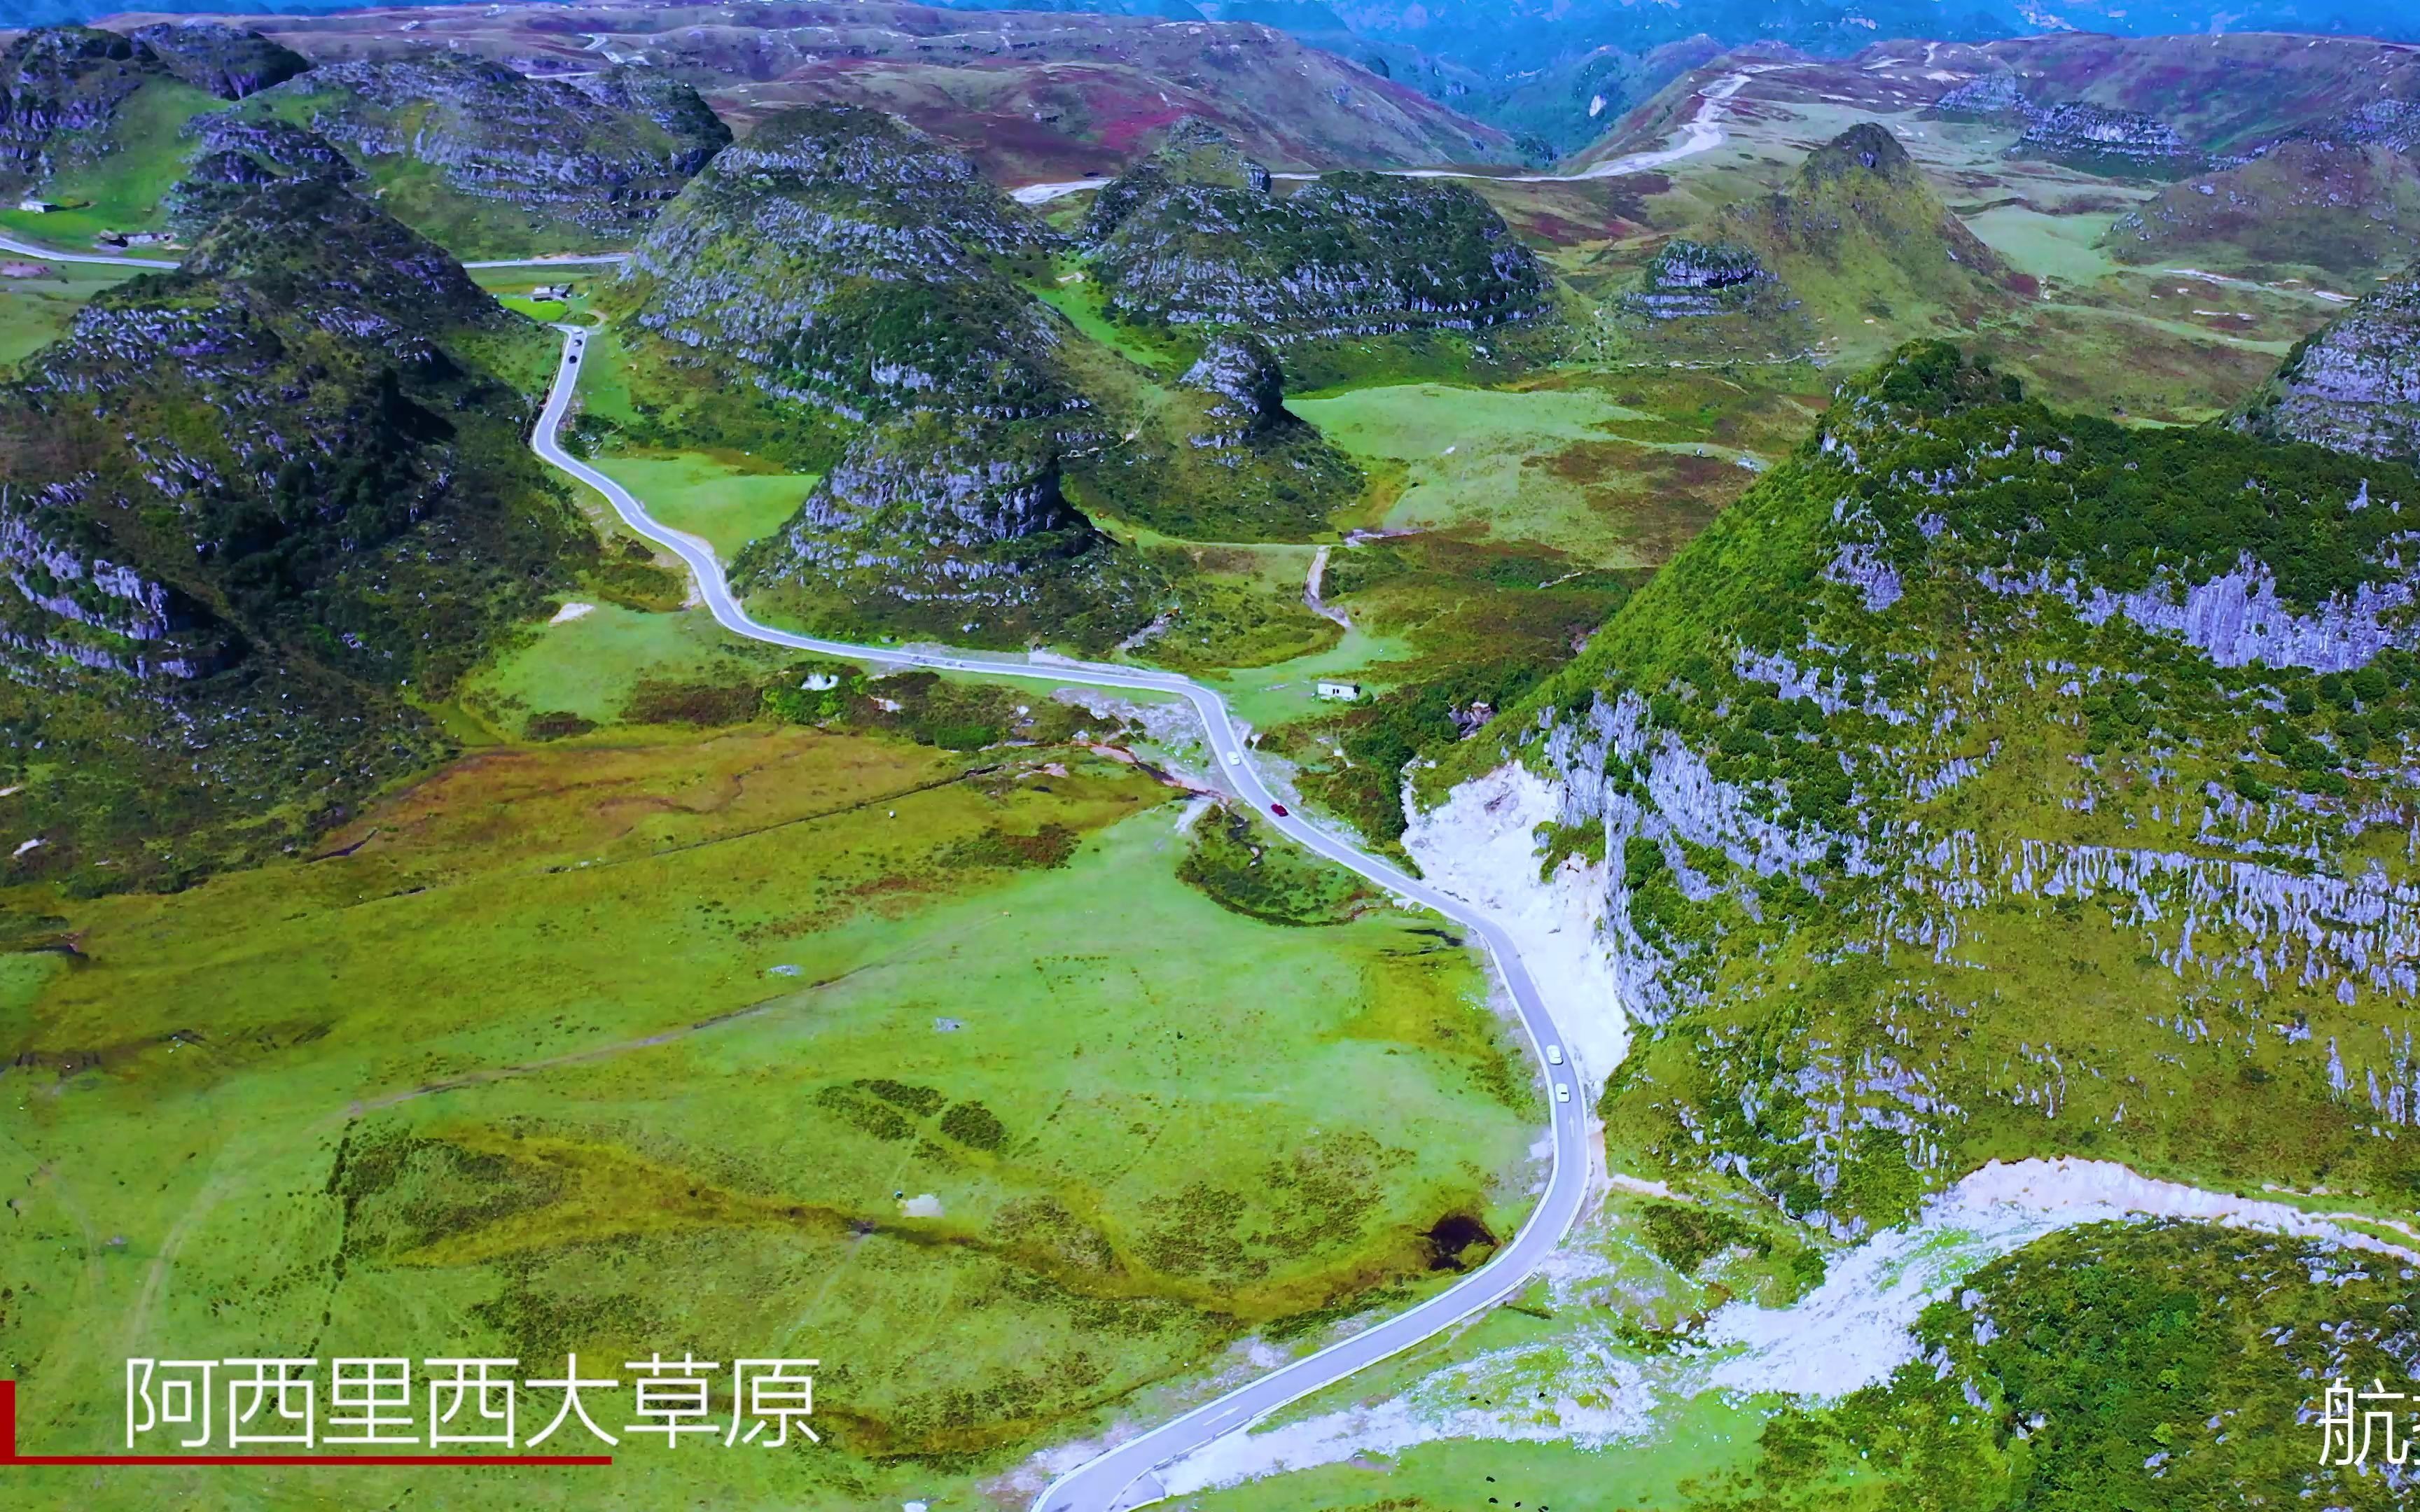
253 512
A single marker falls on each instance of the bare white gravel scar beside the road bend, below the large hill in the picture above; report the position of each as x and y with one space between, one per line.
1482 846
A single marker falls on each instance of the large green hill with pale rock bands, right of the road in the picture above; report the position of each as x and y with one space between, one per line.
2000 783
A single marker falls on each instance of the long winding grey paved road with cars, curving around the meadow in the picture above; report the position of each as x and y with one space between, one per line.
1112 1479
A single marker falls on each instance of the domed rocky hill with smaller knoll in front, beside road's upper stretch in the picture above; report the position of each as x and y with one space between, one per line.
853 267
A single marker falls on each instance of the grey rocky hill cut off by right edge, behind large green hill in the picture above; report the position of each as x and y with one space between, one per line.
2353 386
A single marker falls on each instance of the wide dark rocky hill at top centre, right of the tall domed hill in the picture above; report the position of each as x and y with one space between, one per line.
1194 236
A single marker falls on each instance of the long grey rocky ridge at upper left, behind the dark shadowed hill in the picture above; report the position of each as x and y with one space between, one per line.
601 156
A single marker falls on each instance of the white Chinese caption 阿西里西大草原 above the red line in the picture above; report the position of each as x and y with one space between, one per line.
463 1400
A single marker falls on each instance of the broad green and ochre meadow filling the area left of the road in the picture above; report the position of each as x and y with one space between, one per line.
626 1046
